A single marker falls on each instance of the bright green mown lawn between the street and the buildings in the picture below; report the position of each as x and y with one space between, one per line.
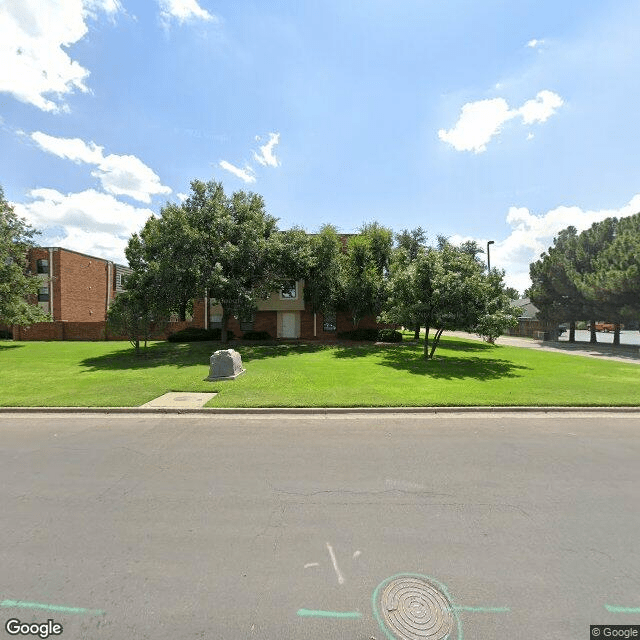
465 373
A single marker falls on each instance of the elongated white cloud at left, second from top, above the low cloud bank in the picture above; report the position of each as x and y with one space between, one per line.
119 175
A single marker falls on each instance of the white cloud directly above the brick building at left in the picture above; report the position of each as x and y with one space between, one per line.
91 222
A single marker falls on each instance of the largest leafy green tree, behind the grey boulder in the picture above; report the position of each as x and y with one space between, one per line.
227 246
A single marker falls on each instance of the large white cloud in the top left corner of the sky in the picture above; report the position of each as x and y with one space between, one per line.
35 36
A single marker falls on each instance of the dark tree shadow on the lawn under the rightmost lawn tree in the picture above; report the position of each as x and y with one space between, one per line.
452 367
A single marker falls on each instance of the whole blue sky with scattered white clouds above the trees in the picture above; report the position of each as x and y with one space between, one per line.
476 120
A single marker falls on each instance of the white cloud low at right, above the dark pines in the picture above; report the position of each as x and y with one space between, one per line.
531 235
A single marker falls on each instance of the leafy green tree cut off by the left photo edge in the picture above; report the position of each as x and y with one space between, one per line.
16 286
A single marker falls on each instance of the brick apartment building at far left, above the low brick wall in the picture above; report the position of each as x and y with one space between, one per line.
75 287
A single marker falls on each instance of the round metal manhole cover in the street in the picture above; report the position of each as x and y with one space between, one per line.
413 608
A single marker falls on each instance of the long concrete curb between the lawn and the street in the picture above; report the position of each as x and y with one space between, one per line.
319 410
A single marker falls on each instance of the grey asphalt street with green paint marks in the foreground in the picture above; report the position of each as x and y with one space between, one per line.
525 525
